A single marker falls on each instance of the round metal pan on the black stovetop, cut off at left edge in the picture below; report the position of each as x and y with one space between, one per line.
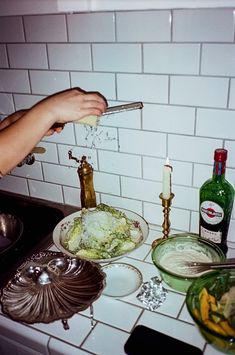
11 229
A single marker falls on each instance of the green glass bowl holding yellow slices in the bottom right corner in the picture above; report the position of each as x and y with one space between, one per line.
202 303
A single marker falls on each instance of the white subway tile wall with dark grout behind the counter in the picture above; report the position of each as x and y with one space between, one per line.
179 63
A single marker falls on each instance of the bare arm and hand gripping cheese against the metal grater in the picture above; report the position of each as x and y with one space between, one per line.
19 135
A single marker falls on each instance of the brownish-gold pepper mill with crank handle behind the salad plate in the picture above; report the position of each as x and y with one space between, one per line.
85 173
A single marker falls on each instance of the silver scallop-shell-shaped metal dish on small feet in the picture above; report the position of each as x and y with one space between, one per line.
51 285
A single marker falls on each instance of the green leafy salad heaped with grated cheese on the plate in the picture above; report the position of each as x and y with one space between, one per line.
102 233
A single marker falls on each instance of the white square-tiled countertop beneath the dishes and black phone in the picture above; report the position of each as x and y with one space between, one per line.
114 319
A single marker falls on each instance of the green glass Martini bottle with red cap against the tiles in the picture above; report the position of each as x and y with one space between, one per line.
216 203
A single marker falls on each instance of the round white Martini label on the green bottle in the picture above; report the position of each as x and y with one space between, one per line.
211 212
